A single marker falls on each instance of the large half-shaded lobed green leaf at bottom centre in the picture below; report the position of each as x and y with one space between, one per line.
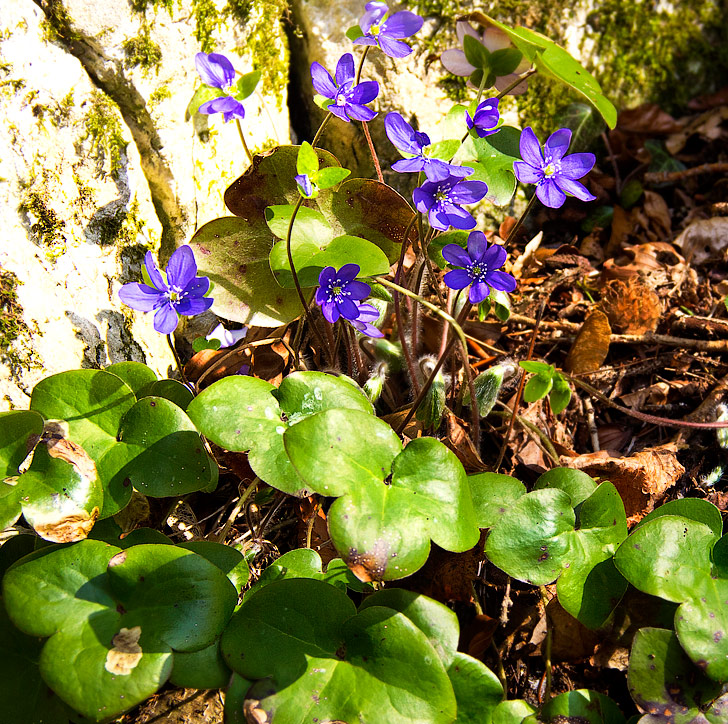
306 637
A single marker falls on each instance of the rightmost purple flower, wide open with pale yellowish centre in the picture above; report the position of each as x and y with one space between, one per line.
553 173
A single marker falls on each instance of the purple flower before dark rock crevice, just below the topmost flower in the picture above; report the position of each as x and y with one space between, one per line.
348 99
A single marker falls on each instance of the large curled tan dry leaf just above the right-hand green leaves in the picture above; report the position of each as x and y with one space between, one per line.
641 479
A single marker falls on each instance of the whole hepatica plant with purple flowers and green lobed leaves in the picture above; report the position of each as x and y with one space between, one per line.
331 402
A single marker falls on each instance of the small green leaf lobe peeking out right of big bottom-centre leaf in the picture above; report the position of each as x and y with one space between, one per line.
477 690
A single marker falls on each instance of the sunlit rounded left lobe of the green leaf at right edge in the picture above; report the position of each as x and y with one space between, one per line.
668 557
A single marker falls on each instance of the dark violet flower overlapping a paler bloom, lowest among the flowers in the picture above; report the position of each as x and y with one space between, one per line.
339 296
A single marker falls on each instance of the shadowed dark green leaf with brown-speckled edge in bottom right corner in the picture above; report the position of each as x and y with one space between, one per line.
662 679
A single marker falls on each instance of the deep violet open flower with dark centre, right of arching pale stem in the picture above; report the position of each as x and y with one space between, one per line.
480 264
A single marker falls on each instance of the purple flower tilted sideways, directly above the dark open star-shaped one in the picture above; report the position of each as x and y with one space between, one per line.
441 201
